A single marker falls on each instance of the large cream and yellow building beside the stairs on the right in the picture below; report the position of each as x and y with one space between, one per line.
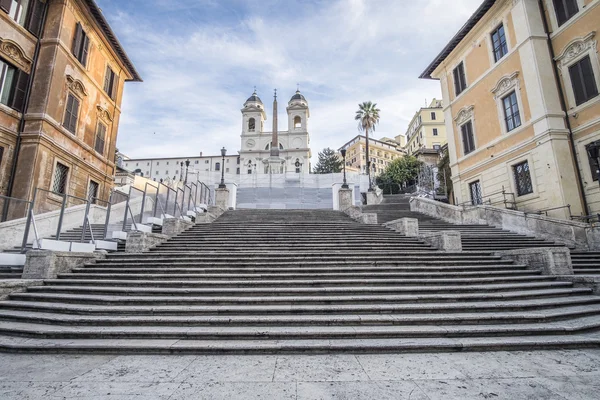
520 92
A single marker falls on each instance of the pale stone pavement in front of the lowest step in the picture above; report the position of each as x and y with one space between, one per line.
532 375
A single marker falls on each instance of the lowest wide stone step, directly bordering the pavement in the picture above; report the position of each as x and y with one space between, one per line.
320 346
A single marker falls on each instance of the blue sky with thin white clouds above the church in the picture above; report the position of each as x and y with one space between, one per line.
200 60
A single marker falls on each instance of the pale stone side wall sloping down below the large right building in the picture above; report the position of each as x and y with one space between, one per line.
570 233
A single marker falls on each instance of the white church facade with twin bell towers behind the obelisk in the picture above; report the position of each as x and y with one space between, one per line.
275 152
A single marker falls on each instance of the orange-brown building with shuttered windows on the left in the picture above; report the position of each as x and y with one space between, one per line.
62 74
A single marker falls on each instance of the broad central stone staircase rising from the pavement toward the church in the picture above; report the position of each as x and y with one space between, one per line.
292 281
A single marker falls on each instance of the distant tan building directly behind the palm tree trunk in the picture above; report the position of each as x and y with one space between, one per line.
381 154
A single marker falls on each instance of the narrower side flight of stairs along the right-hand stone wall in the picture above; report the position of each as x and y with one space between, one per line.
479 237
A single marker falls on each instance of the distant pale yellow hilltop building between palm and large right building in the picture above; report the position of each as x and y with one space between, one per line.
426 131
